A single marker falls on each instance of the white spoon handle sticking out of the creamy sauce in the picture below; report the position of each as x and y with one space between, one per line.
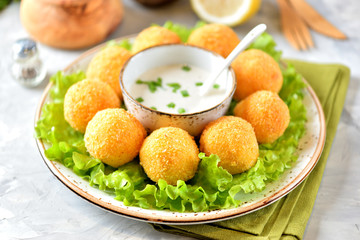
244 43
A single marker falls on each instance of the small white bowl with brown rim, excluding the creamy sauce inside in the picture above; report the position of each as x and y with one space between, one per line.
170 54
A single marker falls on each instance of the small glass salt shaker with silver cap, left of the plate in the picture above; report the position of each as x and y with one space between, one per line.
27 68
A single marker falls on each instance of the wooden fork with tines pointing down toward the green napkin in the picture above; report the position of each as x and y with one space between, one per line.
294 27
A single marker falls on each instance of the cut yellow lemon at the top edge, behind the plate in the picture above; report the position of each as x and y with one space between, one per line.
228 12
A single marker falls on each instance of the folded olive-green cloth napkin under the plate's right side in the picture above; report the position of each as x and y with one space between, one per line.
286 218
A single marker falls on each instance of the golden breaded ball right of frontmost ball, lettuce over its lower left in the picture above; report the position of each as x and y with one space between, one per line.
233 140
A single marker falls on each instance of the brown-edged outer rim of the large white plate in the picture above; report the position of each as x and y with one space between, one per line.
201 217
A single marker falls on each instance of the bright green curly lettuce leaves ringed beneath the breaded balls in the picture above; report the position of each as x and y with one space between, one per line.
211 188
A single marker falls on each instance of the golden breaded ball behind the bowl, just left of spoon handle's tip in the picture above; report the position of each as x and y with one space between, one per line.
215 37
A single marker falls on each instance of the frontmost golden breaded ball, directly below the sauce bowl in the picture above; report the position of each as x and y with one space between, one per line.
171 154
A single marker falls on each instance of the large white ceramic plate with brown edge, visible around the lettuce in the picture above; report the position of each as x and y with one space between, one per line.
310 148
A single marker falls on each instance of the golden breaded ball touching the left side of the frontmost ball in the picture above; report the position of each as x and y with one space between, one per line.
114 136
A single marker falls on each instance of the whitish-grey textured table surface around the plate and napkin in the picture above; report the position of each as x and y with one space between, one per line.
35 205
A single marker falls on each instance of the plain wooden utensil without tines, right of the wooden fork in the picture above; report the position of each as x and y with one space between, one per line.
315 20
